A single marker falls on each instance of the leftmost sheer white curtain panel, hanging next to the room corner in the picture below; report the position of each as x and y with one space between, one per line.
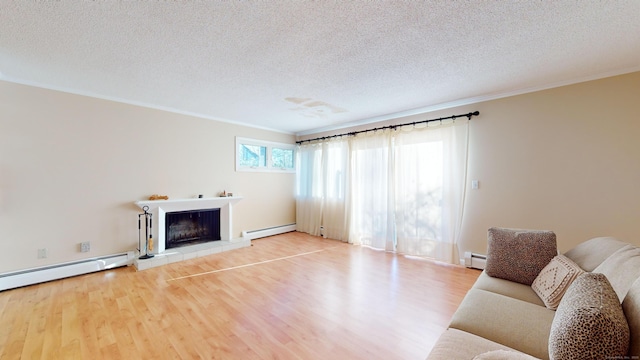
322 188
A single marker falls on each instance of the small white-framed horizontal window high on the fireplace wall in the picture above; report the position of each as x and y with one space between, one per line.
258 155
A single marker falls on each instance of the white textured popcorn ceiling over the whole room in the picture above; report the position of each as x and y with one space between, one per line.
303 66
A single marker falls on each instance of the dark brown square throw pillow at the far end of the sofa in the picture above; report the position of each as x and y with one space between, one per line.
519 255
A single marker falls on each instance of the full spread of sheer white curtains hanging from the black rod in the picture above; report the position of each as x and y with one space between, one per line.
391 190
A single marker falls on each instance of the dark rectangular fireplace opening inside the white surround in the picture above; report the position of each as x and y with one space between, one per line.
191 227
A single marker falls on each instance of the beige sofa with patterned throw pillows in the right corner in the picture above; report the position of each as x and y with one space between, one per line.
505 319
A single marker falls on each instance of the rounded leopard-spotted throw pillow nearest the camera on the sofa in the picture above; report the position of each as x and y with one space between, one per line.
589 323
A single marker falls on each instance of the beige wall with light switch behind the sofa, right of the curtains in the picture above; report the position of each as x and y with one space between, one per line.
565 159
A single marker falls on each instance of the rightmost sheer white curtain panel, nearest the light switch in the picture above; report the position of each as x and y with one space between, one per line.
430 170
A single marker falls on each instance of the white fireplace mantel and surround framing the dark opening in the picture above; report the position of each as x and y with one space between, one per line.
159 208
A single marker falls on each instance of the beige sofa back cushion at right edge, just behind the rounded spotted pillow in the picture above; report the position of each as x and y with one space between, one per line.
621 268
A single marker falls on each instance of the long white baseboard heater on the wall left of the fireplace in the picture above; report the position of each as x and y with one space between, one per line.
32 276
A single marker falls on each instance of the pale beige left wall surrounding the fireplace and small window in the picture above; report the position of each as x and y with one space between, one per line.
71 168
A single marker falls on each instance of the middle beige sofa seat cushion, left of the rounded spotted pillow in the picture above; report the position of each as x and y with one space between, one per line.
514 323
